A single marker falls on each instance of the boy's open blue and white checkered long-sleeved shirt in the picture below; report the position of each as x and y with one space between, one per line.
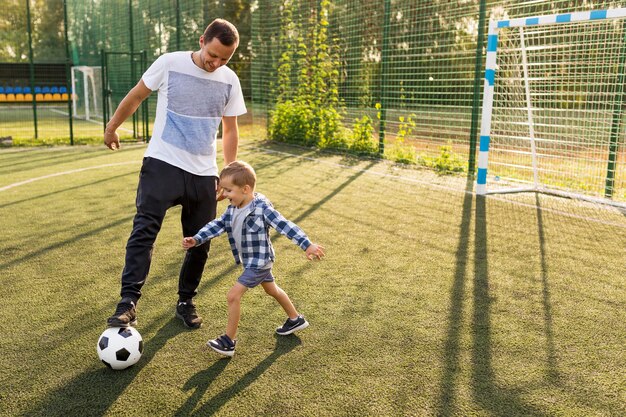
256 246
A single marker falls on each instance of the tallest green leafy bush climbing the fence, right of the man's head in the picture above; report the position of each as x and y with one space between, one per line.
309 115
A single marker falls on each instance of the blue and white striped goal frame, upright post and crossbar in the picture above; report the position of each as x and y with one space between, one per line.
491 66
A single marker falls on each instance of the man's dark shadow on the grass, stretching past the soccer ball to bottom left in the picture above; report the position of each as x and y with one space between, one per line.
95 390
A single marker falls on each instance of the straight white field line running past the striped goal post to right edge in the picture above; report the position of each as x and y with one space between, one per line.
447 188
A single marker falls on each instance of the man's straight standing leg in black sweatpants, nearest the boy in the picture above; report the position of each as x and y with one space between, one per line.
199 208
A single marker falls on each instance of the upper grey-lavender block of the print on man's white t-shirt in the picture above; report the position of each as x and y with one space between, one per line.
196 97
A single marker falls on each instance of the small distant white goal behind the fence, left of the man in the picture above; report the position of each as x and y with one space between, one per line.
87 92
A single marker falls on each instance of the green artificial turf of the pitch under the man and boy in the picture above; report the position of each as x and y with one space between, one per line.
430 301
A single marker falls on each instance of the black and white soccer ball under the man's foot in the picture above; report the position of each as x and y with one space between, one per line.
120 347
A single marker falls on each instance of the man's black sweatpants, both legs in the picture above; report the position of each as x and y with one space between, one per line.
162 186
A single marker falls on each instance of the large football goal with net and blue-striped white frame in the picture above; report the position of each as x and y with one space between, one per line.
553 107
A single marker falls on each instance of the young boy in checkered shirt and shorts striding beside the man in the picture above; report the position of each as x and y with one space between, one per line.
246 221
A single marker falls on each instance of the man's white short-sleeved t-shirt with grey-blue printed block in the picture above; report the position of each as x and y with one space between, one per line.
190 106
